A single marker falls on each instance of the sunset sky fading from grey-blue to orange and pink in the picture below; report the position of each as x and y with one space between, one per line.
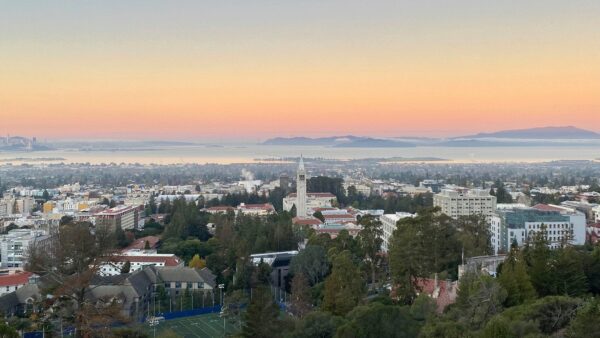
200 70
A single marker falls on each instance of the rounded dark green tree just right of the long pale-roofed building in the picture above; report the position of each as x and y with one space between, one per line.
312 263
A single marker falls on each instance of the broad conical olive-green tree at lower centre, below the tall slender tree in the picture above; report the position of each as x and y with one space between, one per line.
344 288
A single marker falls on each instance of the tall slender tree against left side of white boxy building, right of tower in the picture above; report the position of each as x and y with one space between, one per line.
370 239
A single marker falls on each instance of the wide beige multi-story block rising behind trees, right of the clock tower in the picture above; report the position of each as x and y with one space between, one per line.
456 203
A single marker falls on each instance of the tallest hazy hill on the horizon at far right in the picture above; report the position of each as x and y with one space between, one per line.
544 133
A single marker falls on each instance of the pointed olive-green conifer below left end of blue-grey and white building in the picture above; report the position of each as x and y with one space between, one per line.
515 280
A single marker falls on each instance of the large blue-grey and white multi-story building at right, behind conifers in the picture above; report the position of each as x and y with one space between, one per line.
561 225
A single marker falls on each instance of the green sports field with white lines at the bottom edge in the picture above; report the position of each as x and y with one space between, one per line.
209 325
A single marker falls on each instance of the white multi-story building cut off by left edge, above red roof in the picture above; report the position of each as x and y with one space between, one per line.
14 246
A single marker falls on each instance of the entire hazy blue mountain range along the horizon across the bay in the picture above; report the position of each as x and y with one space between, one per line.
533 137
